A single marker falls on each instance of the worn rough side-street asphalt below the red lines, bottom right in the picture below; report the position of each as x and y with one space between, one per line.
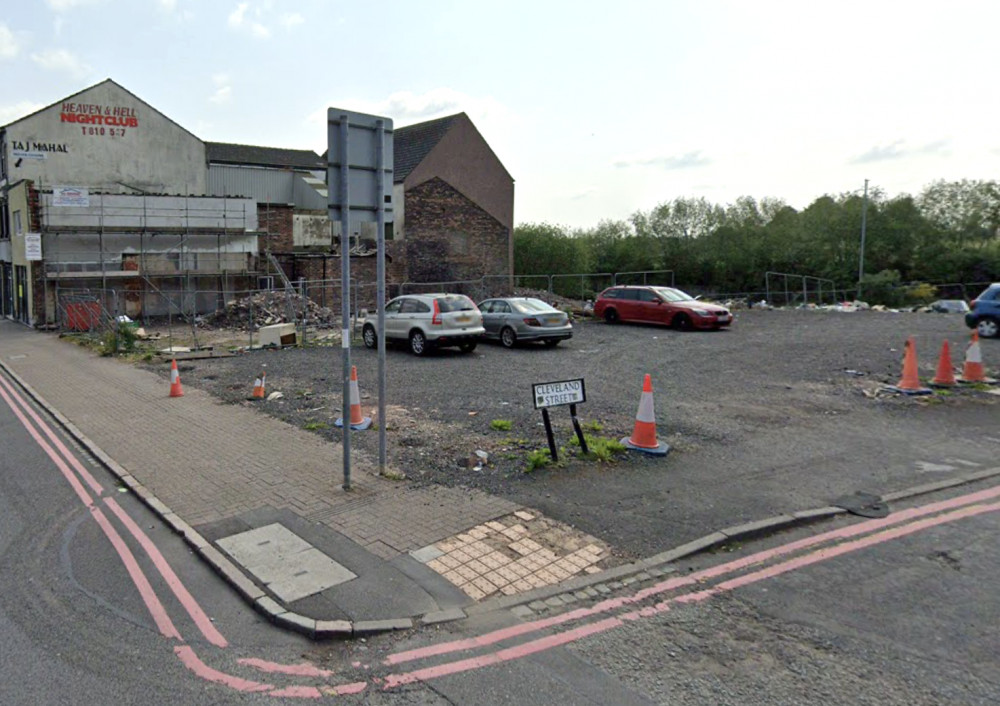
906 622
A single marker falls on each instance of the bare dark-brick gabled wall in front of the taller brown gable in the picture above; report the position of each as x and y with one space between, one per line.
449 238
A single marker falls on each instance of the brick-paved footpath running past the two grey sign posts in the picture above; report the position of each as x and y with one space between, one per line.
209 461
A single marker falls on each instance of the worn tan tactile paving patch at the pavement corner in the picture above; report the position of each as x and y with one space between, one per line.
513 554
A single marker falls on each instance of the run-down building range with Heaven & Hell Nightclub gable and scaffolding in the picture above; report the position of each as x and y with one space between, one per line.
102 192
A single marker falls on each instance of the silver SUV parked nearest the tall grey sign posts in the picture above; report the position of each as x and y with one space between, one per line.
427 321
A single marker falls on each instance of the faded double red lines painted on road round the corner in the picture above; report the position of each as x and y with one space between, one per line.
606 615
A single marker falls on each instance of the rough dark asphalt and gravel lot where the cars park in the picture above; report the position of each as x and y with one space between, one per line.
783 412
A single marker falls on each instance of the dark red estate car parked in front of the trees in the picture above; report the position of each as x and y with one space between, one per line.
660 305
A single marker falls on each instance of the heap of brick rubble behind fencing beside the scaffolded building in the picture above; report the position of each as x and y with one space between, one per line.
272 307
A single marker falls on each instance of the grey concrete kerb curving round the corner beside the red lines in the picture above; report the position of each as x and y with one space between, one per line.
653 566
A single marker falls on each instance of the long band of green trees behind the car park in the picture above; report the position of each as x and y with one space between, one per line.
948 233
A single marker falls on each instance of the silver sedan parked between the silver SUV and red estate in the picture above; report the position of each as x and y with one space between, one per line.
514 319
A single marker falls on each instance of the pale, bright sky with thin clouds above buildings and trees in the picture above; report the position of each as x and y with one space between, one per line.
597 109
